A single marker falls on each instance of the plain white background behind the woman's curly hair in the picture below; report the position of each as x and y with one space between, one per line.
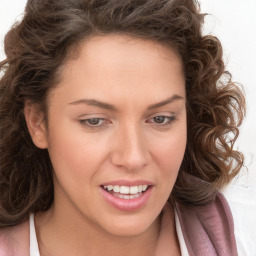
234 22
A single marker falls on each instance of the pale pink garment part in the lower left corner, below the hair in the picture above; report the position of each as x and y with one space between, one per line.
14 241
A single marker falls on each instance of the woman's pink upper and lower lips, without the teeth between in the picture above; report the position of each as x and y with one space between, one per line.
127 204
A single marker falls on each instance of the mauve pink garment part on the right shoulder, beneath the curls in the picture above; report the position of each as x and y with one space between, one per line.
208 230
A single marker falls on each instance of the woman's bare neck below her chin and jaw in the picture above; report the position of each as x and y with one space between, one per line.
58 234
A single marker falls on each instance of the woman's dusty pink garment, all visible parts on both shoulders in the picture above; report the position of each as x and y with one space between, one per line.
207 230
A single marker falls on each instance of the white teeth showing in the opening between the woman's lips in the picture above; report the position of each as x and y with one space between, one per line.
126 192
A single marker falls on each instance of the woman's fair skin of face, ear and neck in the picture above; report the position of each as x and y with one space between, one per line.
117 115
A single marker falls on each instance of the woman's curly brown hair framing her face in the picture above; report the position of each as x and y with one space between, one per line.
37 48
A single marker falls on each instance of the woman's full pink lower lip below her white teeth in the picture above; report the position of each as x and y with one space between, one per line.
127 204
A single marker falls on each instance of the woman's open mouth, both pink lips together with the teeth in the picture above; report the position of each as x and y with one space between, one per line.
127 196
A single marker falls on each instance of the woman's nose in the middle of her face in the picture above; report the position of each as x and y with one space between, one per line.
130 149
